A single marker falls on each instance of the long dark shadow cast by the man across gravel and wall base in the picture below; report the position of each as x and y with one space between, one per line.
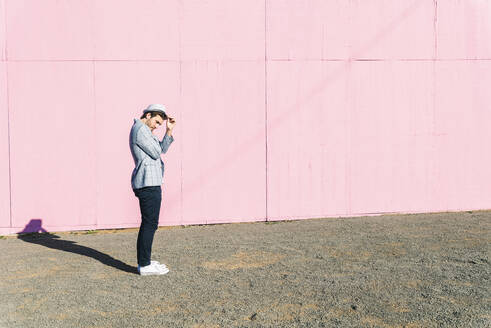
34 233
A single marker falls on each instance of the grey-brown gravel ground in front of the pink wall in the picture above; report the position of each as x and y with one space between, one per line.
419 270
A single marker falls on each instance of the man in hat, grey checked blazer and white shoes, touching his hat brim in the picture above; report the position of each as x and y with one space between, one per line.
146 180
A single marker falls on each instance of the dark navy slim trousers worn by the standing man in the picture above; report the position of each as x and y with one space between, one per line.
150 199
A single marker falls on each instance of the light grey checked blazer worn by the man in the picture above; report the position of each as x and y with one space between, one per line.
146 149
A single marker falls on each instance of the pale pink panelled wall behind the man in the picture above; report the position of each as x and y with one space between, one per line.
285 108
